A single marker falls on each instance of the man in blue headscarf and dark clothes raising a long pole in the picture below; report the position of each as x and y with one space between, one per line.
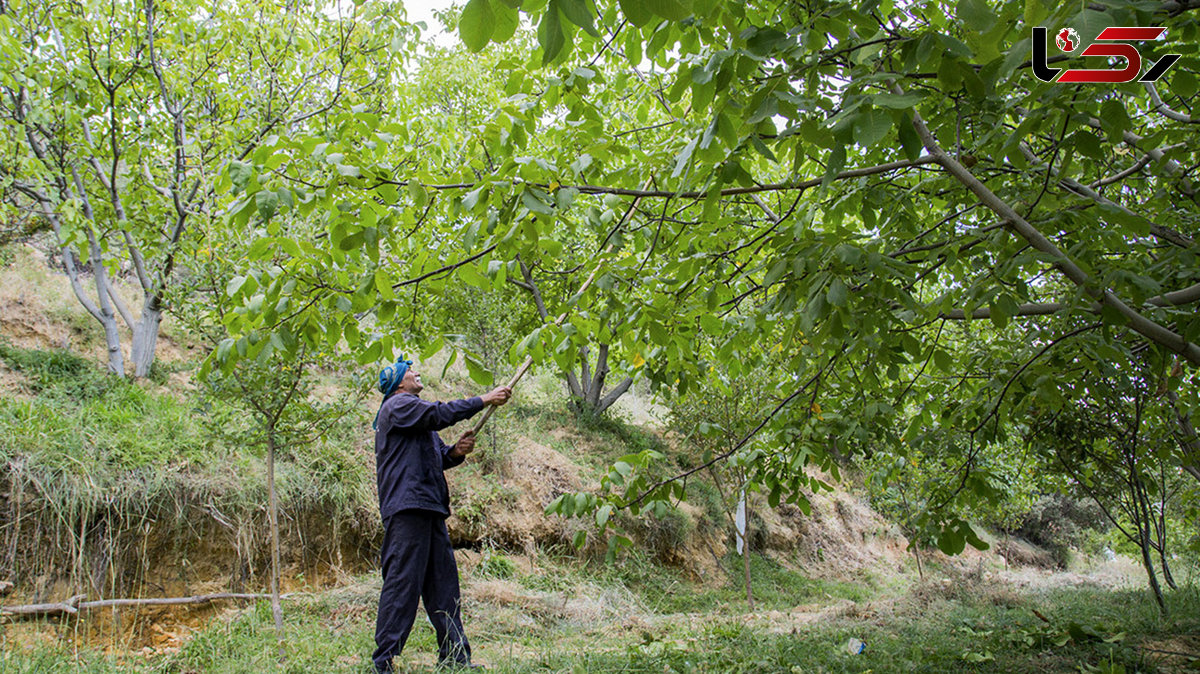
417 558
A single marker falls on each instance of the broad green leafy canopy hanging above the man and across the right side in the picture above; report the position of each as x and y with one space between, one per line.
873 209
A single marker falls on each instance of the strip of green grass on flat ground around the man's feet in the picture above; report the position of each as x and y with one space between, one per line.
983 630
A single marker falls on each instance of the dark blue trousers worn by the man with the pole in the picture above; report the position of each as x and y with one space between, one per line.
418 563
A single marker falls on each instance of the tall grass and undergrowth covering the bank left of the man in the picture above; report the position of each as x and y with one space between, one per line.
104 473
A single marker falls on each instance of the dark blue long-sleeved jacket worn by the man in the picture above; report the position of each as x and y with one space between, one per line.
410 455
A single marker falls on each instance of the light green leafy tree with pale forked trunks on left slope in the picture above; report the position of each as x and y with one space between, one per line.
118 118
